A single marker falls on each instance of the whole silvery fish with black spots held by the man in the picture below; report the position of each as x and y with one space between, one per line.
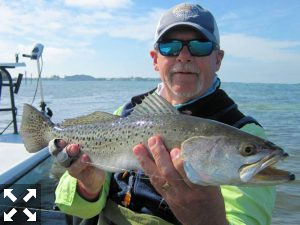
213 153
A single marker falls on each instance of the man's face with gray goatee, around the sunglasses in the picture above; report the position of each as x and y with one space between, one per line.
186 76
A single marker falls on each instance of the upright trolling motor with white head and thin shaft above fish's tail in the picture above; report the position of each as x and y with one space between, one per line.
36 54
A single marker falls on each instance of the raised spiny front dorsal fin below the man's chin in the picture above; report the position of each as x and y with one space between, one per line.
153 104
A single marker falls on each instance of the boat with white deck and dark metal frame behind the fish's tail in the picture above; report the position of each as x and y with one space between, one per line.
27 180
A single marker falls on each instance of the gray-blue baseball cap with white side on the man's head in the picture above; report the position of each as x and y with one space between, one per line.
192 15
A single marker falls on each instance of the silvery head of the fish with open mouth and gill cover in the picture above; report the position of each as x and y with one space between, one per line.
223 160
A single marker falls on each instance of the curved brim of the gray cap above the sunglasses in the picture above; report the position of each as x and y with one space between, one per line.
201 29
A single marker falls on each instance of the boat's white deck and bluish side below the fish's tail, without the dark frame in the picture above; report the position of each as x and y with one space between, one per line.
19 168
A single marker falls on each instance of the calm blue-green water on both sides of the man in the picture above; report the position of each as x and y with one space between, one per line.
275 106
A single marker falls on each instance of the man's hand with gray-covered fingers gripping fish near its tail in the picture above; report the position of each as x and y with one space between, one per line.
90 179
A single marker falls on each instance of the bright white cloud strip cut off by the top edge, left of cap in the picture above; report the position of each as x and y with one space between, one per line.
99 3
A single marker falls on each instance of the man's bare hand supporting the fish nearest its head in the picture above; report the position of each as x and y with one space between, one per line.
190 203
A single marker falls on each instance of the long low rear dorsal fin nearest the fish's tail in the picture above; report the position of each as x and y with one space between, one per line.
89 119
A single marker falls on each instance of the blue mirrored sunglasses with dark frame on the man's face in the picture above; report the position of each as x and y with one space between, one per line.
195 47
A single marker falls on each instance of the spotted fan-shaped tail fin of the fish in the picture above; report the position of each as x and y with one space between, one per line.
35 129
